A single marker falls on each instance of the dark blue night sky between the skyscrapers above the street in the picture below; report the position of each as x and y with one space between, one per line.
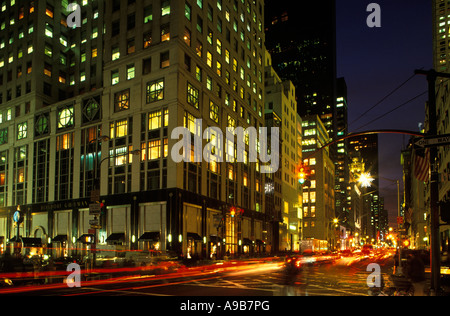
374 62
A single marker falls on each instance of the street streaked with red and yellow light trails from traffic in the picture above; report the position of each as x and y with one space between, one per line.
346 276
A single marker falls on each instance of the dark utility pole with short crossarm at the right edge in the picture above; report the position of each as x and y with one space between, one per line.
432 76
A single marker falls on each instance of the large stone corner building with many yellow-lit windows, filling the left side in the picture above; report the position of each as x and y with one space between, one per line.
104 100
